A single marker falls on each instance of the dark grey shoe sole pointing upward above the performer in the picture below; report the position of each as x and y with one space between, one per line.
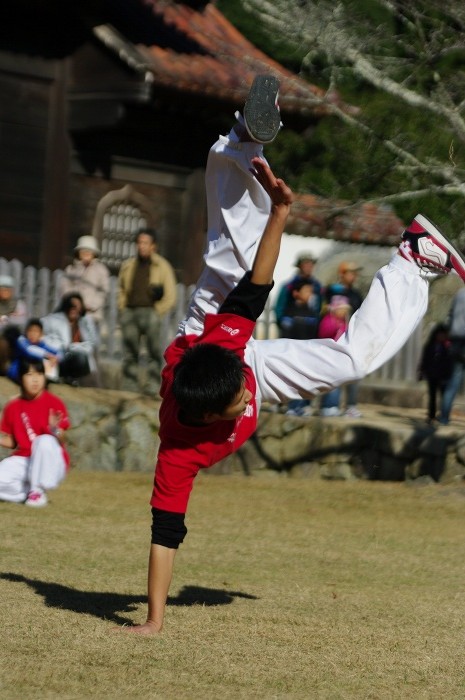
261 114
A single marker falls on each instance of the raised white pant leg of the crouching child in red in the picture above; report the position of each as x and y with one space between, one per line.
47 466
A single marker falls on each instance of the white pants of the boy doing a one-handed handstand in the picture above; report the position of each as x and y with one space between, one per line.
238 209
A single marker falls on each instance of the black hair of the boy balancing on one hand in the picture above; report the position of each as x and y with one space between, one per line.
207 380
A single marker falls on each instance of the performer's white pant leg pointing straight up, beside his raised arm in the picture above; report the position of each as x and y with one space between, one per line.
238 210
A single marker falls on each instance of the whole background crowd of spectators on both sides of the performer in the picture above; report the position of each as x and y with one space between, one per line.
67 339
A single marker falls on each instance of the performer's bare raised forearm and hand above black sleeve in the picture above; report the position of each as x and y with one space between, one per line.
281 199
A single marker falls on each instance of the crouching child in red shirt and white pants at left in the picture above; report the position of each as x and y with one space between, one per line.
33 424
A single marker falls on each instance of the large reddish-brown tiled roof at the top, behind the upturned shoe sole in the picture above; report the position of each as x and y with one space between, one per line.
201 52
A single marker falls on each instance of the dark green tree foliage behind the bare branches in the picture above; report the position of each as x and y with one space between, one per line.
336 160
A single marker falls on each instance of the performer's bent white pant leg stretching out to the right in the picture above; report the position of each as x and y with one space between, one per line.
289 369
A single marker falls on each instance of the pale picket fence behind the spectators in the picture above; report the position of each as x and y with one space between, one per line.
39 290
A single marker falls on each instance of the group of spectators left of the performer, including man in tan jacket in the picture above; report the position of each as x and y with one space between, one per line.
67 339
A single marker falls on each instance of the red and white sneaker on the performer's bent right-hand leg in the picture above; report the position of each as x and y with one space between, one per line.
425 245
